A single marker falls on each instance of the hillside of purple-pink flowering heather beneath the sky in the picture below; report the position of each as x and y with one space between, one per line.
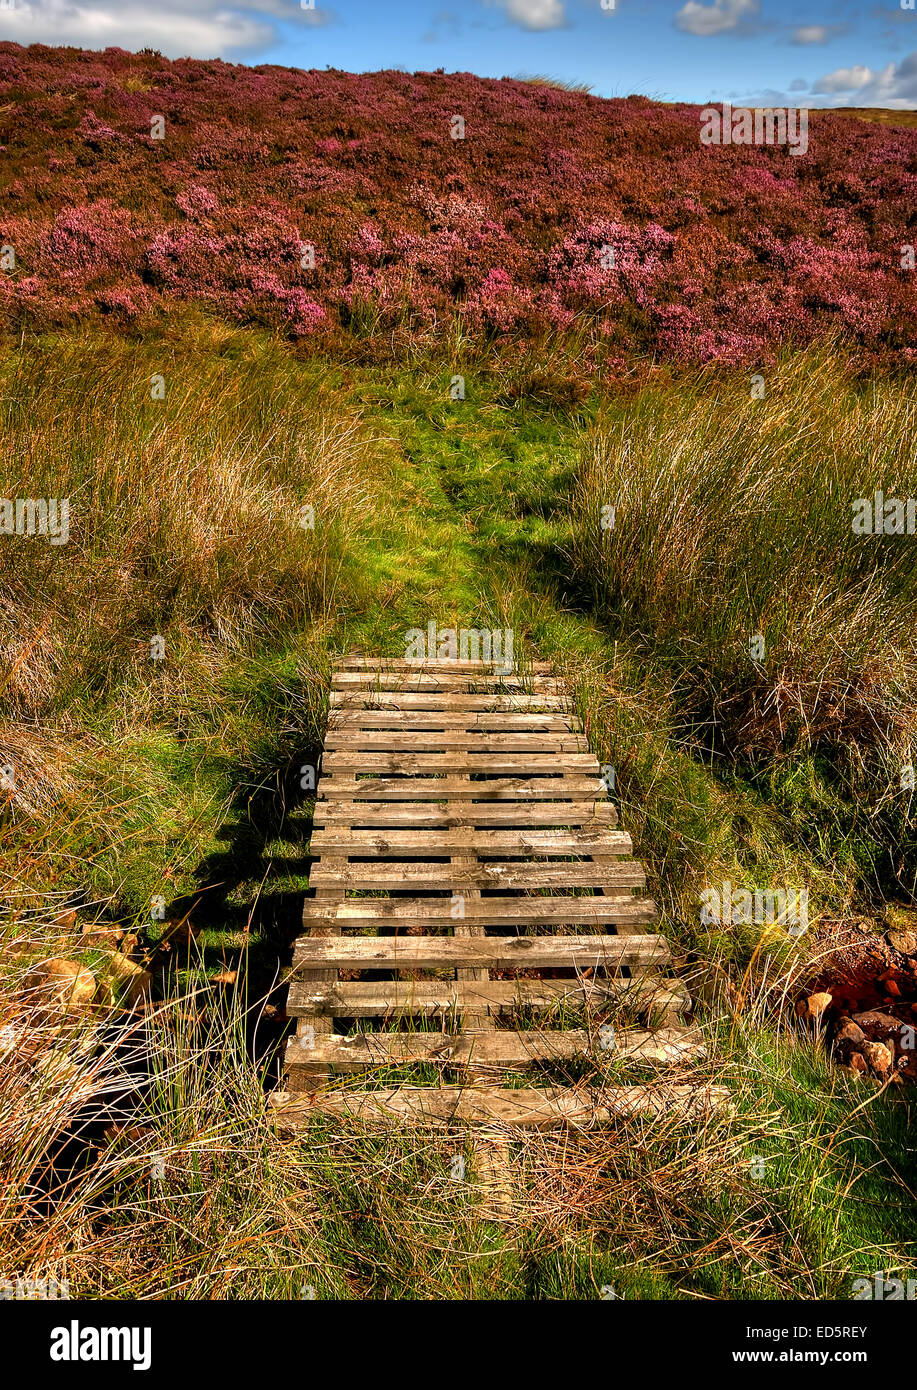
716 251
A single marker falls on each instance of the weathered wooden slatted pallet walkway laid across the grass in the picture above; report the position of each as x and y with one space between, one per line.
470 868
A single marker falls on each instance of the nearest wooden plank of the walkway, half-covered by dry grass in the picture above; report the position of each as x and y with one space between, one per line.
540 1109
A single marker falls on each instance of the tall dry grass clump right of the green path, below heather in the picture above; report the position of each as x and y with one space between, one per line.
734 522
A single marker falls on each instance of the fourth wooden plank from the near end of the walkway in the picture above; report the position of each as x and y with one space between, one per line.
487 953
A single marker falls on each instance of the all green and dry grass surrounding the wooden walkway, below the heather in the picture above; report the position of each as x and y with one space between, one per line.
183 779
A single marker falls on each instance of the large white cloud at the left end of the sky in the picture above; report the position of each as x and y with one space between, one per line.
177 28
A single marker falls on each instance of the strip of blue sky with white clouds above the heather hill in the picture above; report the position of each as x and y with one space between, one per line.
773 52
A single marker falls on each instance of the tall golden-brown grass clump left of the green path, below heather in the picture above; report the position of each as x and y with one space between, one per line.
185 514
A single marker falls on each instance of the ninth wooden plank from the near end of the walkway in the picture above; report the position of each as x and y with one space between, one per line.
552 786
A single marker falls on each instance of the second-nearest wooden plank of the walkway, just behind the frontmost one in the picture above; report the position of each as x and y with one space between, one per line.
502 1047
